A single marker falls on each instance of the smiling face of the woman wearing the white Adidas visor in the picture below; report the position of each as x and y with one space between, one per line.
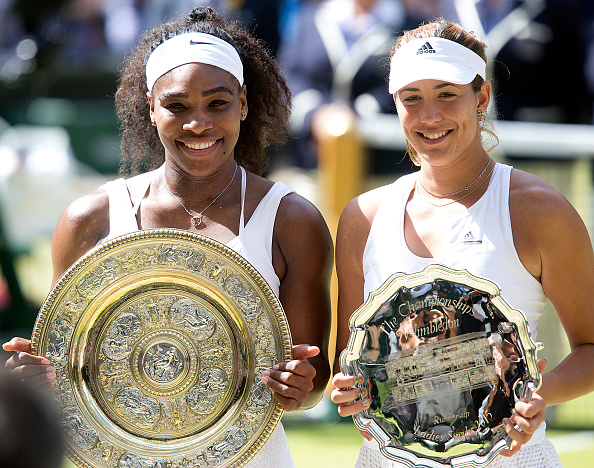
439 119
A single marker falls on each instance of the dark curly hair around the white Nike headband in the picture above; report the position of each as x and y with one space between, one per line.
268 97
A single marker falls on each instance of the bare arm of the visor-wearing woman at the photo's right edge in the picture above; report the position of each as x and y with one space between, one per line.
554 245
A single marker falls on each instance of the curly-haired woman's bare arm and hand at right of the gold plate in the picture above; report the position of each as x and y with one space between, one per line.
303 258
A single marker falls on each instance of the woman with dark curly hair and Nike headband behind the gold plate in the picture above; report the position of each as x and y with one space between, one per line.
200 100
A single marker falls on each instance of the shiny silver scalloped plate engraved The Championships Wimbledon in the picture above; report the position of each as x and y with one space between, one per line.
444 359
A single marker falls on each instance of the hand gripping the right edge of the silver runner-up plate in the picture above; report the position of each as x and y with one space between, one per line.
527 416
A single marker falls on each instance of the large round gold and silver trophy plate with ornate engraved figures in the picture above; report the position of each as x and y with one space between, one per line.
159 338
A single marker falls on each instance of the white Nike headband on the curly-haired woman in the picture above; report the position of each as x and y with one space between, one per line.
193 48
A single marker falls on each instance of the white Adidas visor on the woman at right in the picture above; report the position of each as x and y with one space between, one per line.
434 58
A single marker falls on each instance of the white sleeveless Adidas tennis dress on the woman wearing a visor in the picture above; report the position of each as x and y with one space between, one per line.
479 240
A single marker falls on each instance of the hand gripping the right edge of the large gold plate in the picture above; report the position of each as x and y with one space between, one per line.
291 381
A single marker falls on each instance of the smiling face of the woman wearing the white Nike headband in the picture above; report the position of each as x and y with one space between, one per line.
197 109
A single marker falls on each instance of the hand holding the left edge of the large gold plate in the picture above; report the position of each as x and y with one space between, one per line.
36 370
